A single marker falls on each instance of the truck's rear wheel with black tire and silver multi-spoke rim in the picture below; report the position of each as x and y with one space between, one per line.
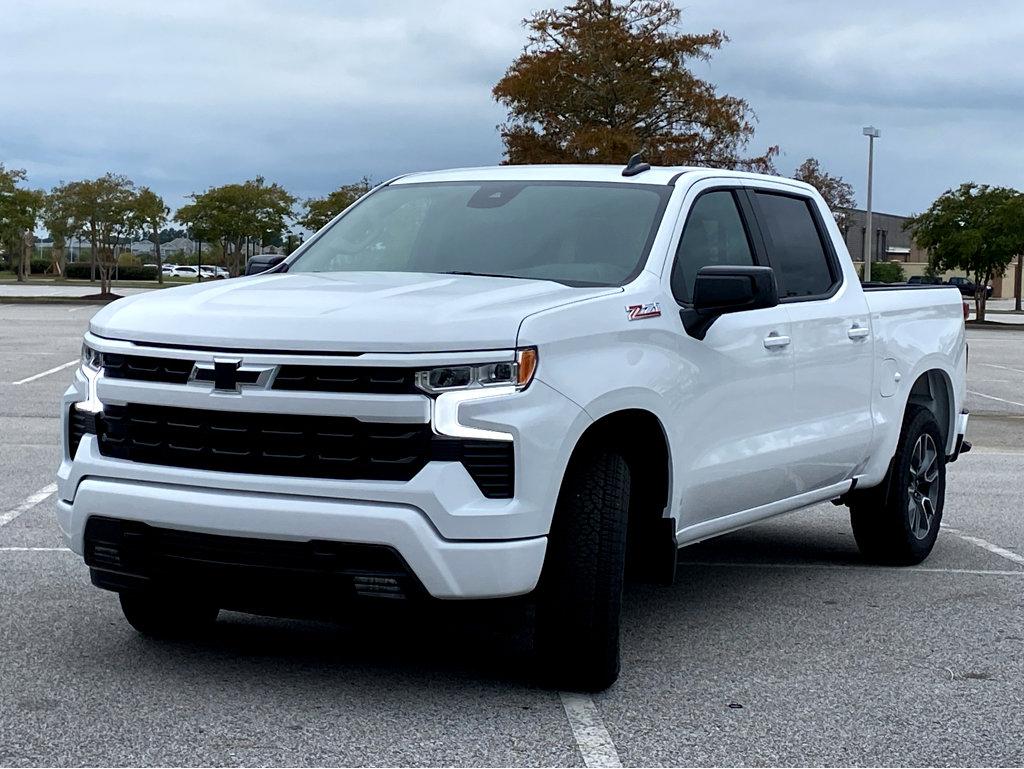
899 522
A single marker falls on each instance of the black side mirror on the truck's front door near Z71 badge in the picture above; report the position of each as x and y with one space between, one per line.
723 289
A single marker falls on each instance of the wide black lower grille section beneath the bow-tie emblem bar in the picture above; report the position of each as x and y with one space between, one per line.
301 446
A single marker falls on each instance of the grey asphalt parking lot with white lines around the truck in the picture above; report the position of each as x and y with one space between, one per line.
778 646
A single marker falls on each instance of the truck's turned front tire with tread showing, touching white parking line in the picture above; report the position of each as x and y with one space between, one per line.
581 591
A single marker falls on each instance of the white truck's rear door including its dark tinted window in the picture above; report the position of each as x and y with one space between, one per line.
832 340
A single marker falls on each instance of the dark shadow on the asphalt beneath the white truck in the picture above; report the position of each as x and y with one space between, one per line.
488 643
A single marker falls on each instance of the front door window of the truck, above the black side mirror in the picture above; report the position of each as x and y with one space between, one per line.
714 235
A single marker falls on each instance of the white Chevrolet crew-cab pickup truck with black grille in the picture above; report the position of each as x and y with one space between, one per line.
495 382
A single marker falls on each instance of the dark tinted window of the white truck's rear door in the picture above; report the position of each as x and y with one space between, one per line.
797 252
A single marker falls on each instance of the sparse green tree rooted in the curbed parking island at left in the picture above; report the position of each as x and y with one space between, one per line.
104 209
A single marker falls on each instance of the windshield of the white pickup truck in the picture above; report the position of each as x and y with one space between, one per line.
579 234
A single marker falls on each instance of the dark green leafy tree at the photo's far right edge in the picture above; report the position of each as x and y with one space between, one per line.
976 229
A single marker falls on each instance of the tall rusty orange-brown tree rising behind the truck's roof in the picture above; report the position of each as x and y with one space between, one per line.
602 80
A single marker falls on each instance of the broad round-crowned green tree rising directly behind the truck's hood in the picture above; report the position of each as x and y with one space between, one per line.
238 215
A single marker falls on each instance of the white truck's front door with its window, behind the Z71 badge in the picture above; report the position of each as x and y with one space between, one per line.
737 384
